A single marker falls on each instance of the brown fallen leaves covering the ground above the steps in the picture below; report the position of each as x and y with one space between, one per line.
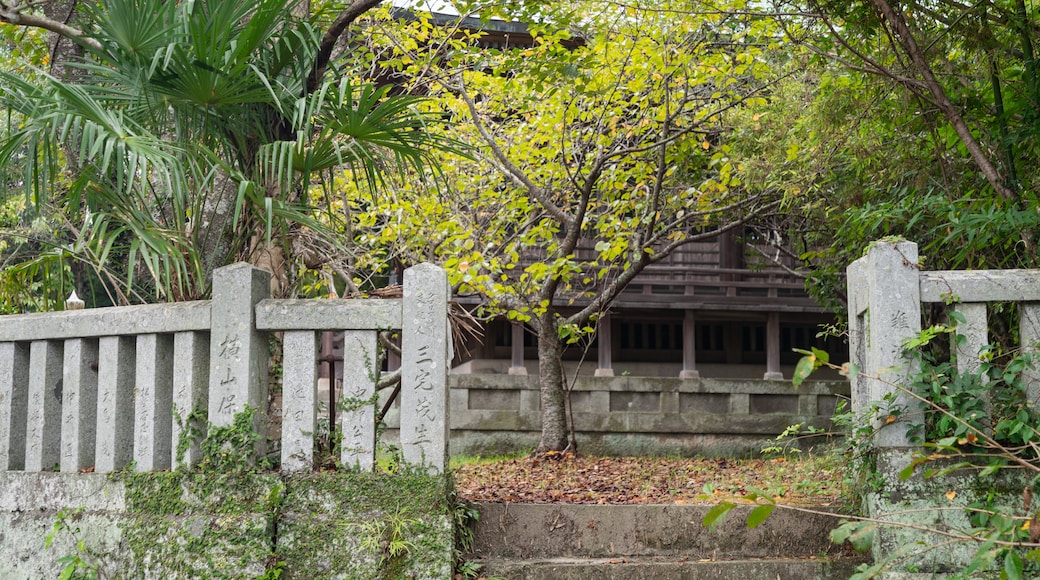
619 481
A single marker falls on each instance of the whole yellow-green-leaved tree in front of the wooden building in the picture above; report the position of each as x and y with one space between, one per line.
597 150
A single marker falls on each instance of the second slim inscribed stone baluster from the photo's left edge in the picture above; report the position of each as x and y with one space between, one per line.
44 416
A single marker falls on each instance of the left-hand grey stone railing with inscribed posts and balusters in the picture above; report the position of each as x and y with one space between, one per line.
98 389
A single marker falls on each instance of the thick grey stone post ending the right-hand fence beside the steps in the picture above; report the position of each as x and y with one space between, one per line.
885 291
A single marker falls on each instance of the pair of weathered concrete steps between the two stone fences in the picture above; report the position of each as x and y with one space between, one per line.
568 542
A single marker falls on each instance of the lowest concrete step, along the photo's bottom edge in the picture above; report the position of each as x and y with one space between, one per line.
658 569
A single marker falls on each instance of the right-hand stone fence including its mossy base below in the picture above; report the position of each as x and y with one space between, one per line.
923 513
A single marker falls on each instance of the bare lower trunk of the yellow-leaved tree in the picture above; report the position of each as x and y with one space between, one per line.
551 372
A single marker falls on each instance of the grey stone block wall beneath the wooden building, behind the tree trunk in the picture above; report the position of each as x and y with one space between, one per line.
637 415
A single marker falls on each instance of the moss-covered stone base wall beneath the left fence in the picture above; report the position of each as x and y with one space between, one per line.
209 525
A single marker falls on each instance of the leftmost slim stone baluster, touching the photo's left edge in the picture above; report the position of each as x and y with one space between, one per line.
14 402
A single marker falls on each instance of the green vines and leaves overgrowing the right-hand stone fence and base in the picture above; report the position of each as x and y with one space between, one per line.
977 464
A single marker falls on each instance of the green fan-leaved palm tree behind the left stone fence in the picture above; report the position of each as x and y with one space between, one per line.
190 137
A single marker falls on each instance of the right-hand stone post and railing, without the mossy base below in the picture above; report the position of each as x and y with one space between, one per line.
887 289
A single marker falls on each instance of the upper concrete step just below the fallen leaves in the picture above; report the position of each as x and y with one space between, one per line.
545 532
